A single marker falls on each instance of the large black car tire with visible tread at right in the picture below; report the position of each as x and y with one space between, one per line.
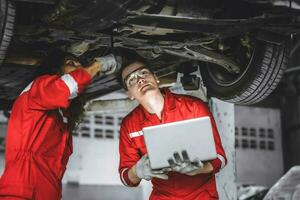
253 84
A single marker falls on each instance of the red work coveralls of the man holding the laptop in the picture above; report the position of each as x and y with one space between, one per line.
132 147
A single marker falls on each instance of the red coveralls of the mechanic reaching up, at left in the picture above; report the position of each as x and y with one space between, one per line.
38 144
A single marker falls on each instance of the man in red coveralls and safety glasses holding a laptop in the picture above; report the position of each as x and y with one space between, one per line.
188 180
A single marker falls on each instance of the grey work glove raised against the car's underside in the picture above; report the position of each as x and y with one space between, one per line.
110 63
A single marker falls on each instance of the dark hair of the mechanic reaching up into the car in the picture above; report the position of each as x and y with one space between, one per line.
51 64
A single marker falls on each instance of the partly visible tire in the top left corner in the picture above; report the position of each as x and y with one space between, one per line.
7 18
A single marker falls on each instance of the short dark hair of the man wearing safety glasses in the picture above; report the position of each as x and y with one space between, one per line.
128 60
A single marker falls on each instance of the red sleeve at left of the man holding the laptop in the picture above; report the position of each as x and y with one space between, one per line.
128 156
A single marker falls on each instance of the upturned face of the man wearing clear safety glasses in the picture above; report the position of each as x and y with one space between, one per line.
139 81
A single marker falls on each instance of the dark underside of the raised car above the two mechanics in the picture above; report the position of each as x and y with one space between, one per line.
241 47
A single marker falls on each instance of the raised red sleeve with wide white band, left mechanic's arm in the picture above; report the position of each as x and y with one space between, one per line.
52 91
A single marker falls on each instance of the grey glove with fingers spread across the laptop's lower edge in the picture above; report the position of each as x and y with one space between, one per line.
182 164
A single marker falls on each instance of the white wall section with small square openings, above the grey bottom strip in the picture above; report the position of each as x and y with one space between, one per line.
95 157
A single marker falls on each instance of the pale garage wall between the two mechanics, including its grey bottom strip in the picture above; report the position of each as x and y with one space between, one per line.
92 170
